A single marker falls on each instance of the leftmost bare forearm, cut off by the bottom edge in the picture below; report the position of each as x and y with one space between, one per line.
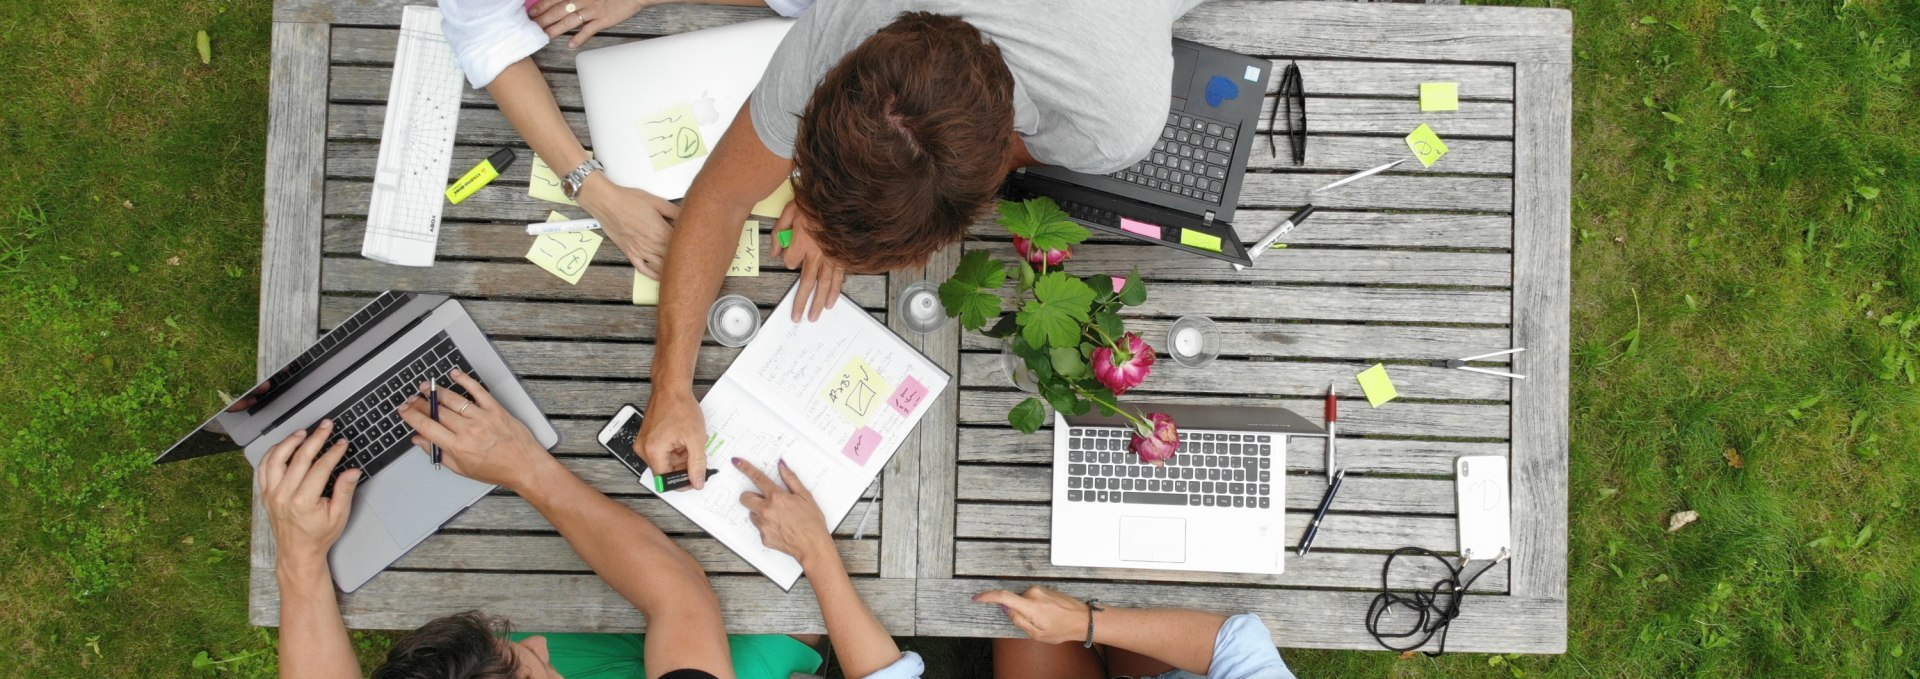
314 640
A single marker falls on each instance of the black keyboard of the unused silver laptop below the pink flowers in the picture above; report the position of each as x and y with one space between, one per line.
1211 469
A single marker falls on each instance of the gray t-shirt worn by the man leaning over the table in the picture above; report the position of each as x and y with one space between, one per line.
1092 78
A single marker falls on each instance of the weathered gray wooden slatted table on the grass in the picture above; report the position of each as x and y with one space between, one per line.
1426 264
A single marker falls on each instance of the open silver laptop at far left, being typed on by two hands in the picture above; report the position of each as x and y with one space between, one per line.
358 375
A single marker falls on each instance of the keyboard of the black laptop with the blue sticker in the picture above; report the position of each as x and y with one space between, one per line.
1191 160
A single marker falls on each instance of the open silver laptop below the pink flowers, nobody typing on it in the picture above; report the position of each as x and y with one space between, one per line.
1218 505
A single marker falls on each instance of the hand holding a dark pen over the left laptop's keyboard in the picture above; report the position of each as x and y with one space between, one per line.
477 438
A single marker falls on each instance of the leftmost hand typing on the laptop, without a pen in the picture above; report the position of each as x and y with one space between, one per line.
291 482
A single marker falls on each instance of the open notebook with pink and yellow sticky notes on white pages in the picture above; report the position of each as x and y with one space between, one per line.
834 398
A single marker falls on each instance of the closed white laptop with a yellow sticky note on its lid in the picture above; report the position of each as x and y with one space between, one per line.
656 108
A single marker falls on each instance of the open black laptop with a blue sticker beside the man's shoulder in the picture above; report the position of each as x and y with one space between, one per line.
1184 193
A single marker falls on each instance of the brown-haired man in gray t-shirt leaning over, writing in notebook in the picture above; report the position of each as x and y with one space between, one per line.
898 124
